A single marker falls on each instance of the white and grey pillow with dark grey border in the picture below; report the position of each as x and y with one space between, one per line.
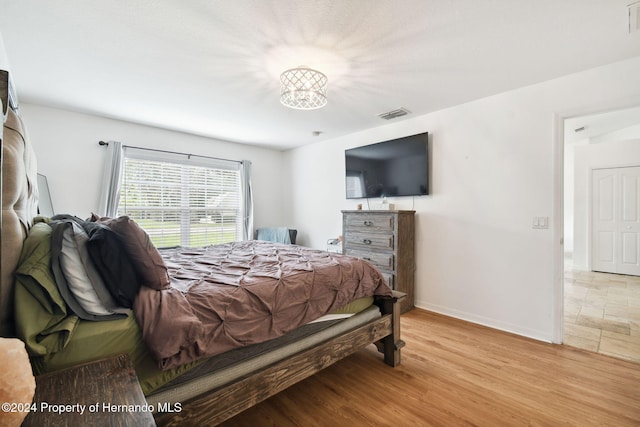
75 282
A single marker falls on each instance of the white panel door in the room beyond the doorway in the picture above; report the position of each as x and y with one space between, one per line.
616 220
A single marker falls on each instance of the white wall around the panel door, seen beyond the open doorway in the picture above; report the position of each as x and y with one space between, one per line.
589 157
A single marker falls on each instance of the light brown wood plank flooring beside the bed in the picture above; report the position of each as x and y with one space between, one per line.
458 373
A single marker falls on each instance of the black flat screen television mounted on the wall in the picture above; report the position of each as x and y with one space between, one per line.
398 167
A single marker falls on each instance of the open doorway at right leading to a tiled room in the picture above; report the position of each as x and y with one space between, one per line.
601 309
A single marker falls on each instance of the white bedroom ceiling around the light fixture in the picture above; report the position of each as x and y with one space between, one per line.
212 67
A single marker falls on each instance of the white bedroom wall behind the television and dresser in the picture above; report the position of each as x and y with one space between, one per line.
496 164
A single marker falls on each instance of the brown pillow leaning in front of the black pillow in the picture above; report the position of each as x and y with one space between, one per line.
147 261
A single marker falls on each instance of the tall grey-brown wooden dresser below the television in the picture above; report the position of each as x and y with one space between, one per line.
387 240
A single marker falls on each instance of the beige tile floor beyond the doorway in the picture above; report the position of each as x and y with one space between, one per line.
602 313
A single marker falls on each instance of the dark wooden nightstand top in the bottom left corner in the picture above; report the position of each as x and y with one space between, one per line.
101 393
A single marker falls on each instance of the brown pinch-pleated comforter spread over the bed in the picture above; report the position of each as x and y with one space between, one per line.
231 295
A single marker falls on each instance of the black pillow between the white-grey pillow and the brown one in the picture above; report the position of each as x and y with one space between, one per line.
113 264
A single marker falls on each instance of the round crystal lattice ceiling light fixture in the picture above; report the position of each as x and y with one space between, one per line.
303 88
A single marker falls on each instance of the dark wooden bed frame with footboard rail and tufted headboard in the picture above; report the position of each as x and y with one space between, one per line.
222 403
